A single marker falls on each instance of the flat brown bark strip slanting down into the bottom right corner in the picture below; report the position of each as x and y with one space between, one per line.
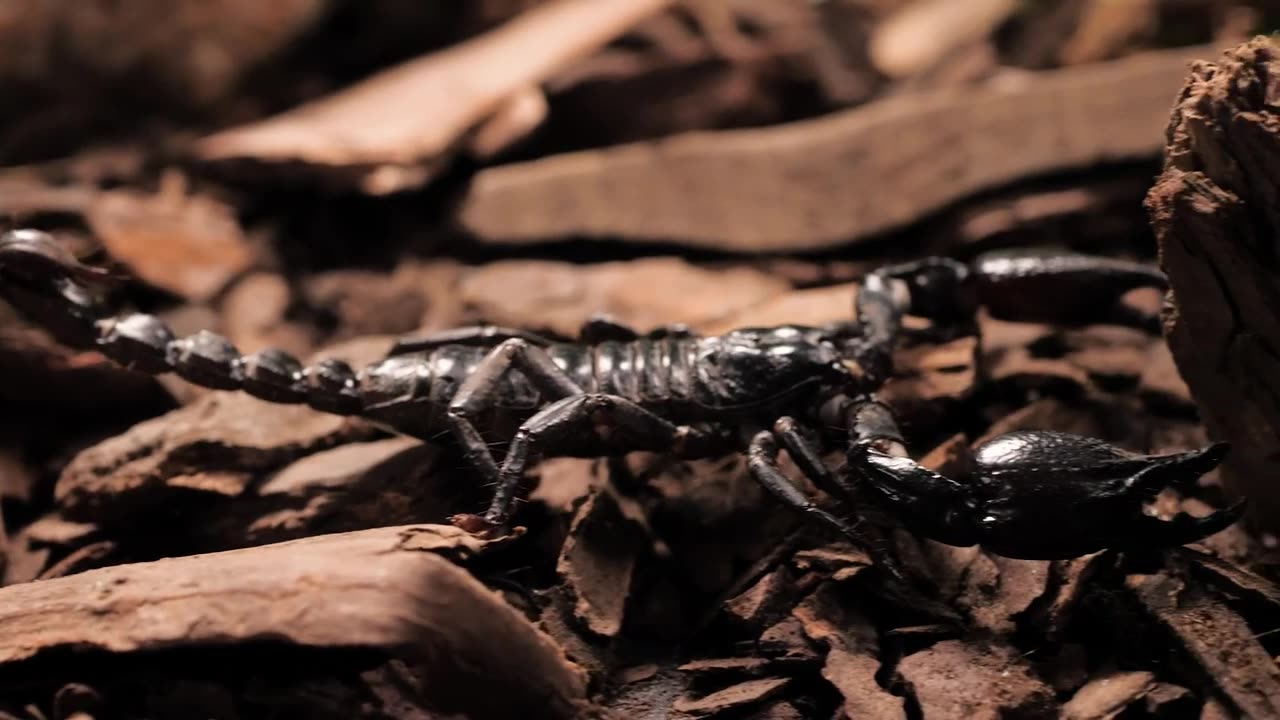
1214 637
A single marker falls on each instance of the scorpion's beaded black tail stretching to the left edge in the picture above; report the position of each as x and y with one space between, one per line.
49 285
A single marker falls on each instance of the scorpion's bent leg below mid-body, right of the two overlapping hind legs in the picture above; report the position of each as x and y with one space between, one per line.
609 420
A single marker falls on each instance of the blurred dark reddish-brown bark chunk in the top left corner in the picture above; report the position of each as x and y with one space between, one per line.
76 81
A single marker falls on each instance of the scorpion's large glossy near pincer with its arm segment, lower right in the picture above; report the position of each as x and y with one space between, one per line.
1048 496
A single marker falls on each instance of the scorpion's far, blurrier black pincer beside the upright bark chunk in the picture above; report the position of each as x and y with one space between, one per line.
1066 290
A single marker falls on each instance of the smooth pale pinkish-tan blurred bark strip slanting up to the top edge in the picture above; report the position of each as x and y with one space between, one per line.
396 130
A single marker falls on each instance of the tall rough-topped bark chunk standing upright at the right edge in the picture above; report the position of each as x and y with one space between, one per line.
1215 213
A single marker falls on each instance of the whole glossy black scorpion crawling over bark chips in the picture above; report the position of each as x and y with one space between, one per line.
1037 495
